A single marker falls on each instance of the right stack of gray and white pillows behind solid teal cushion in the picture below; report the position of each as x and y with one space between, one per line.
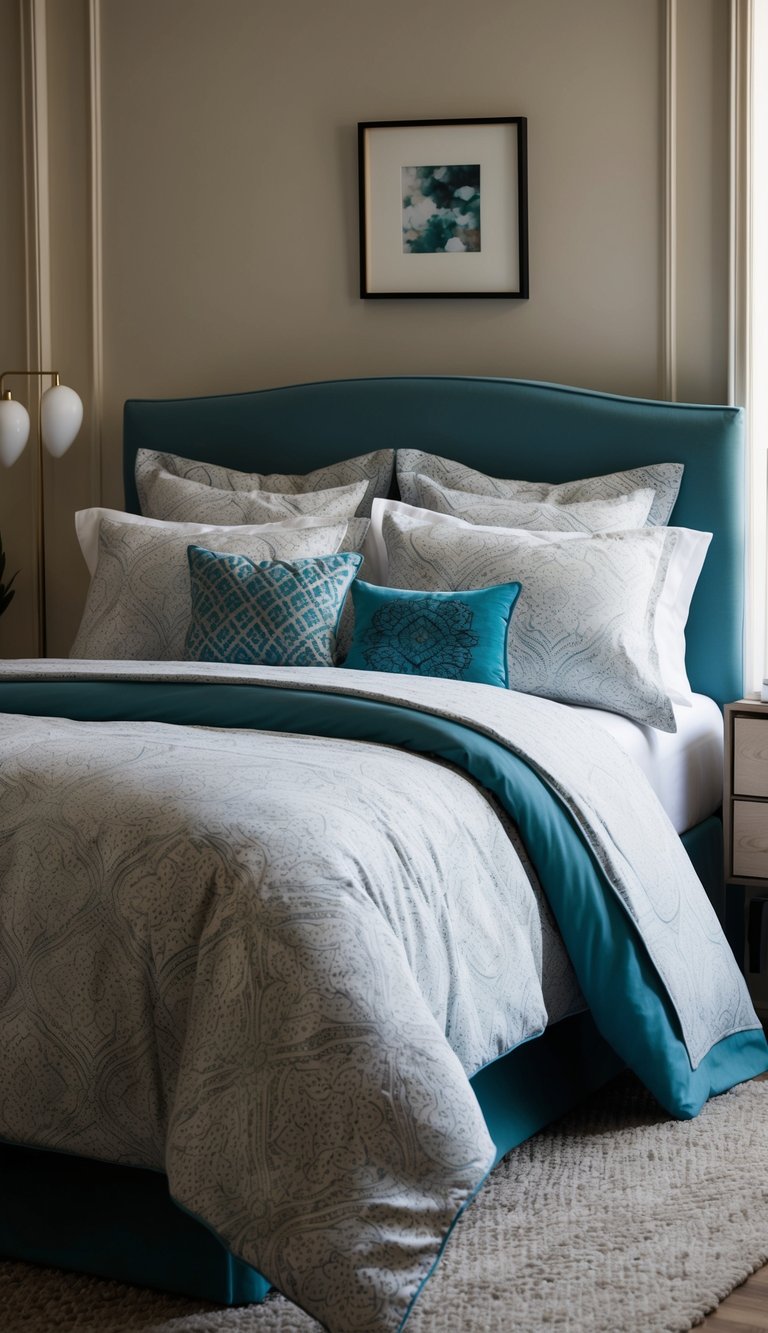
606 585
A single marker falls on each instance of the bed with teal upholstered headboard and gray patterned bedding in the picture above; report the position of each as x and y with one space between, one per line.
511 762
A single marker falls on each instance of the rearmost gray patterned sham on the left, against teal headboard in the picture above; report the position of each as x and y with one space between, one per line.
374 469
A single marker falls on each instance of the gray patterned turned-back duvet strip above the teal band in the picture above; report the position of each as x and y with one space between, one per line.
610 799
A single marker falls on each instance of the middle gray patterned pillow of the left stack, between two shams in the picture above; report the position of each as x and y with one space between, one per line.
182 501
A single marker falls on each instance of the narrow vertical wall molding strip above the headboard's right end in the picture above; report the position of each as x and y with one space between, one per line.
669 370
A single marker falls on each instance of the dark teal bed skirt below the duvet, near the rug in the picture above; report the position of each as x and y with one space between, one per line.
121 1222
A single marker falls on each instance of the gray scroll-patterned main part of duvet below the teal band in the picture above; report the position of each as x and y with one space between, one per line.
266 964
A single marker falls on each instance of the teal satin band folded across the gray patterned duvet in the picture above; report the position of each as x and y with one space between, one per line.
605 947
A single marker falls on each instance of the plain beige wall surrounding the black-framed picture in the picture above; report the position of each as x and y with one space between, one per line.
230 201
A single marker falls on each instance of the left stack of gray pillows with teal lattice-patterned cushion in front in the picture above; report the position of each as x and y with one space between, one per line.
227 566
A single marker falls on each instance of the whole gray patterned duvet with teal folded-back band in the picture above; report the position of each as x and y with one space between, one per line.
259 927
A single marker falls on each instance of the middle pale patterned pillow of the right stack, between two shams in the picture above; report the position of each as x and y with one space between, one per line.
626 511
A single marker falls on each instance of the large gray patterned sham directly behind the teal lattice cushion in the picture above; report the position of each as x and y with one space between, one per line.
139 601
